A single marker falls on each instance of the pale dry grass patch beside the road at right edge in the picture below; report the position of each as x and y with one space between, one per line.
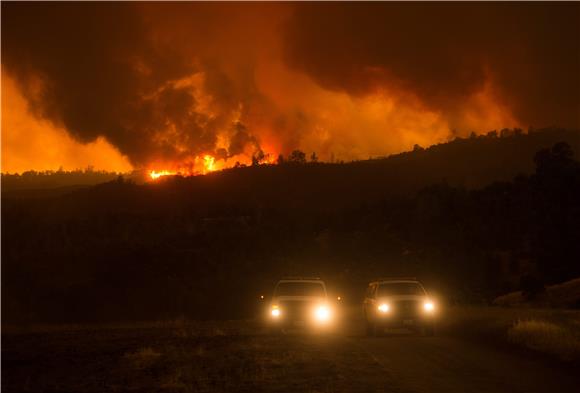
547 337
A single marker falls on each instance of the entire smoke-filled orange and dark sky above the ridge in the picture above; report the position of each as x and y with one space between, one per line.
163 86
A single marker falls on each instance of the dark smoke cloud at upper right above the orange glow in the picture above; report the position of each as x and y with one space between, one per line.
444 52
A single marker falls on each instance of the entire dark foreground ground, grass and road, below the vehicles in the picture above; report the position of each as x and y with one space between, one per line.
241 357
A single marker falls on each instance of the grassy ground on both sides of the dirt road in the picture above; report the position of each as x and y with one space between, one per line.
181 356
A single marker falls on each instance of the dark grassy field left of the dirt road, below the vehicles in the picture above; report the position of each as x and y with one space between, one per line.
182 357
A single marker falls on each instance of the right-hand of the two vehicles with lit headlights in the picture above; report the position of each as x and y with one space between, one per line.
396 303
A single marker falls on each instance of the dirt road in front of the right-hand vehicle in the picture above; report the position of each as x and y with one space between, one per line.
446 364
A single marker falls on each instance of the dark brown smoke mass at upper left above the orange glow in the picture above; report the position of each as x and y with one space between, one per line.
85 54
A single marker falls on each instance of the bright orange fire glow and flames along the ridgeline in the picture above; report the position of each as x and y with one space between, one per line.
340 126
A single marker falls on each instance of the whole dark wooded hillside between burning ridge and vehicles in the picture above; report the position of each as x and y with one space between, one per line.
124 251
